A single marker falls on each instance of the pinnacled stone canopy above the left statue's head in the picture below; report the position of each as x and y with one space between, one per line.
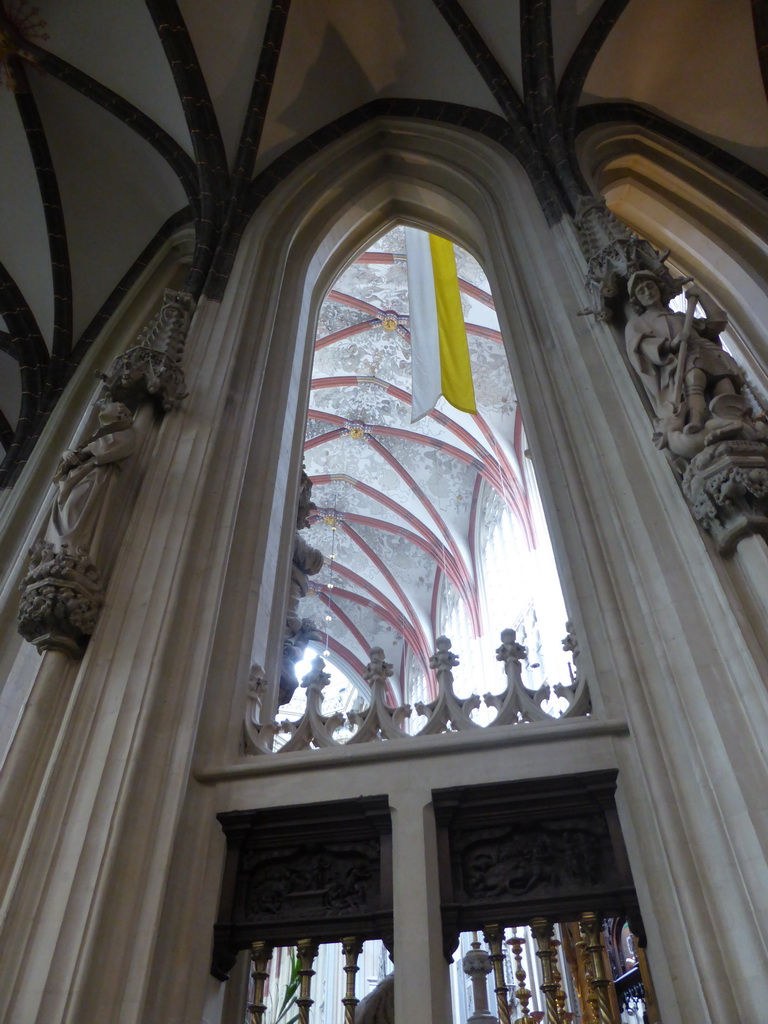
153 367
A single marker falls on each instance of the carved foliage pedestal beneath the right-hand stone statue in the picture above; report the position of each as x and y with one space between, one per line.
728 488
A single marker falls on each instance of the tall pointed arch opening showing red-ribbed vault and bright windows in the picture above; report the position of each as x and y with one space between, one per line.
426 522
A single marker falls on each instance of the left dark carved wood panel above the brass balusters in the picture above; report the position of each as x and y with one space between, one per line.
321 871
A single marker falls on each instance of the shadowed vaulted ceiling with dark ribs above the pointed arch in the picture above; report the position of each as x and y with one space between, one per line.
124 120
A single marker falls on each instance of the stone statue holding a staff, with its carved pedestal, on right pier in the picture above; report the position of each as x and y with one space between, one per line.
703 415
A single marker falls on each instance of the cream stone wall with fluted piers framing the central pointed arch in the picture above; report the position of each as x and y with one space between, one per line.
115 854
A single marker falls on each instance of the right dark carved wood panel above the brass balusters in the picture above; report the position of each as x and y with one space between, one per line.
513 851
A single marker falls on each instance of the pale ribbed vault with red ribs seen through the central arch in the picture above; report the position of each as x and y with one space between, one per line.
398 502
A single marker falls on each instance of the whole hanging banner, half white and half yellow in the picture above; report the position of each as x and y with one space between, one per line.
440 354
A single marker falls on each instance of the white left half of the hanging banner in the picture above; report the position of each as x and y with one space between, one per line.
425 346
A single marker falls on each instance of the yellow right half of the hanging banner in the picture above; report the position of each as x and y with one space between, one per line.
456 371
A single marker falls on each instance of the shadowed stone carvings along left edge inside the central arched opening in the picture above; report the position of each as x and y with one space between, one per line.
307 562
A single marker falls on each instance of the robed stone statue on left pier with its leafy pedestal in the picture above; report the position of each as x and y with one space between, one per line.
62 591
